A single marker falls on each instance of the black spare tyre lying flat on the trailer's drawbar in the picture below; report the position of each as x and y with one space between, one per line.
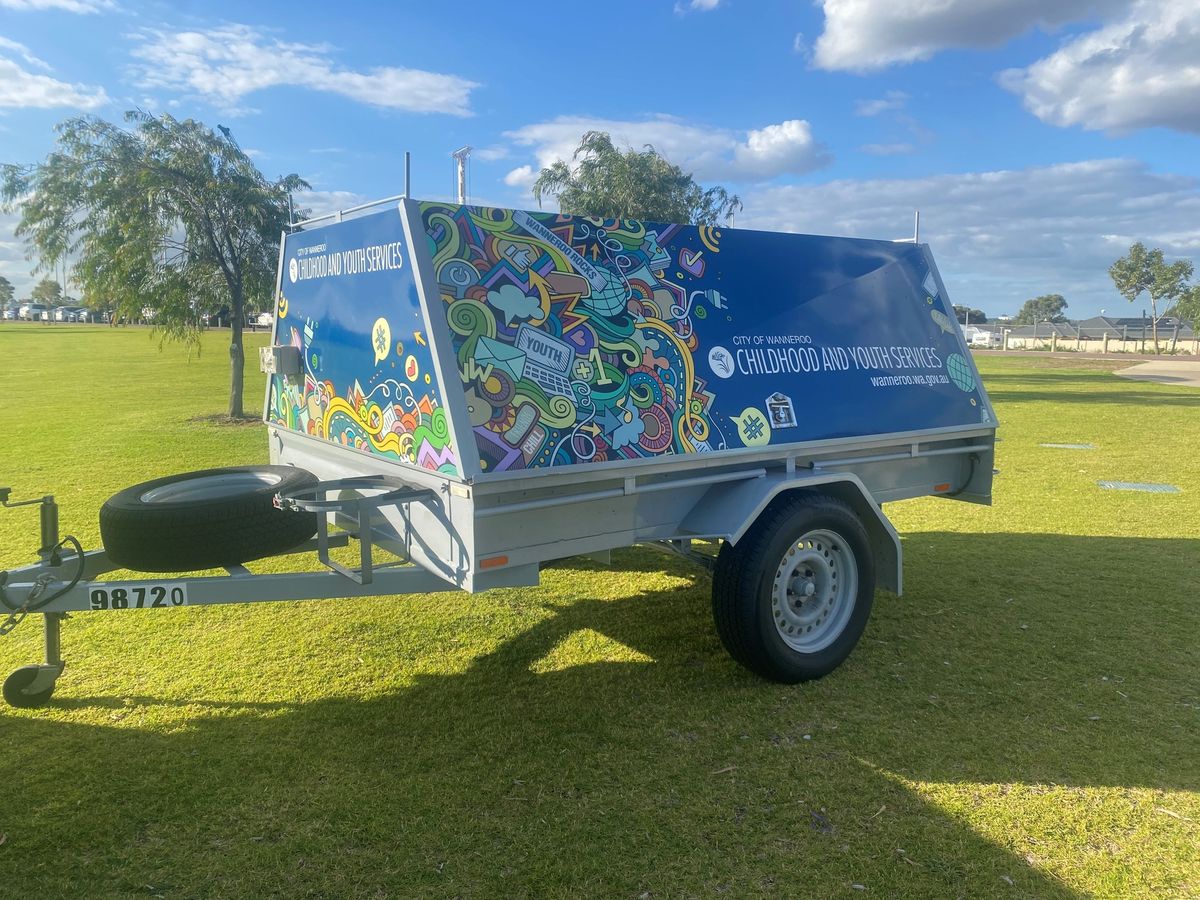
206 520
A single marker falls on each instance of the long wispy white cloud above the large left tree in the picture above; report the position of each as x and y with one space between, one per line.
230 63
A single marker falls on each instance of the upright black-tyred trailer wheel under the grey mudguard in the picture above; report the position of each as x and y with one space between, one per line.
793 598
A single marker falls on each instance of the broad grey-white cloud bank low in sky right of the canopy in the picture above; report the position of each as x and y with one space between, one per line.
1004 237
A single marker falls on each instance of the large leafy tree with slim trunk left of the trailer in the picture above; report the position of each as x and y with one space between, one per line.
165 215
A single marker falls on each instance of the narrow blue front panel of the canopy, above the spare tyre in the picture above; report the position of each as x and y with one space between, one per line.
350 302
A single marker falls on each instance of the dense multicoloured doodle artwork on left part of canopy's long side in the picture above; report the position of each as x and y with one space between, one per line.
573 344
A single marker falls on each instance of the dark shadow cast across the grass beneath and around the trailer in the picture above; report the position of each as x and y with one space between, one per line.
661 769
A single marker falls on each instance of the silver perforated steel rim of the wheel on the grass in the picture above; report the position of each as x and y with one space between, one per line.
814 591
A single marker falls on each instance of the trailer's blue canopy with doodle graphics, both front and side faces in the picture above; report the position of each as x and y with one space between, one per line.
578 340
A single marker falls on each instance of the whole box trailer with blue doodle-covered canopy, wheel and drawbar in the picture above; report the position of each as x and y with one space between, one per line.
465 394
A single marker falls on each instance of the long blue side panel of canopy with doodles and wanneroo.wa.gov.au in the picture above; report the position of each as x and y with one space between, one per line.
581 340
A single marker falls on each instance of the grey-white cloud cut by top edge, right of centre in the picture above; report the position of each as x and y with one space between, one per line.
861 35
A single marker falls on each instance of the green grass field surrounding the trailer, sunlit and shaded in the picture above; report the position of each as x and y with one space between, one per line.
1025 722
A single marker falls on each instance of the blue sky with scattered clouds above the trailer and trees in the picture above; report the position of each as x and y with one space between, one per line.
1039 139
